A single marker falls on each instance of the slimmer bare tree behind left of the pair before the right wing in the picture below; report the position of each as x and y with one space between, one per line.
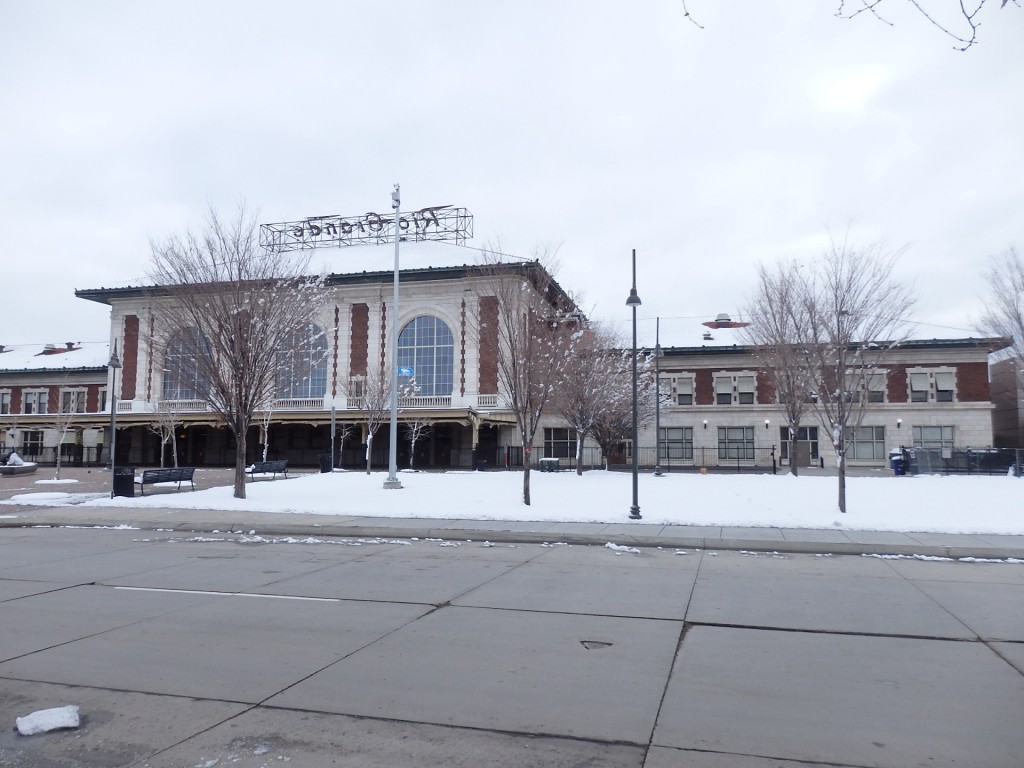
778 324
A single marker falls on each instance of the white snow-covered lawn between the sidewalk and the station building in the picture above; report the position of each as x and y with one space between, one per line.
932 503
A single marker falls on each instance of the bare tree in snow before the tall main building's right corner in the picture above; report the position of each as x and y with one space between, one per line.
535 325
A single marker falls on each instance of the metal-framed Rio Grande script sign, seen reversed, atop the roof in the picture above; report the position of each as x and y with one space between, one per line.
438 223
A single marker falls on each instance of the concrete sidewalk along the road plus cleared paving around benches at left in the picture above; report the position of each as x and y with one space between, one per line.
833 541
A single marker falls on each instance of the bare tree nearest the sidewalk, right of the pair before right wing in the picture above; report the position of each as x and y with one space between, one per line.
856 314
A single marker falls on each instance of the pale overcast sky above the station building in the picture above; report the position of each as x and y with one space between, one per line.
590 126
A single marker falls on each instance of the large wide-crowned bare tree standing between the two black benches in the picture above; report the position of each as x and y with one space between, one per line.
231 306
